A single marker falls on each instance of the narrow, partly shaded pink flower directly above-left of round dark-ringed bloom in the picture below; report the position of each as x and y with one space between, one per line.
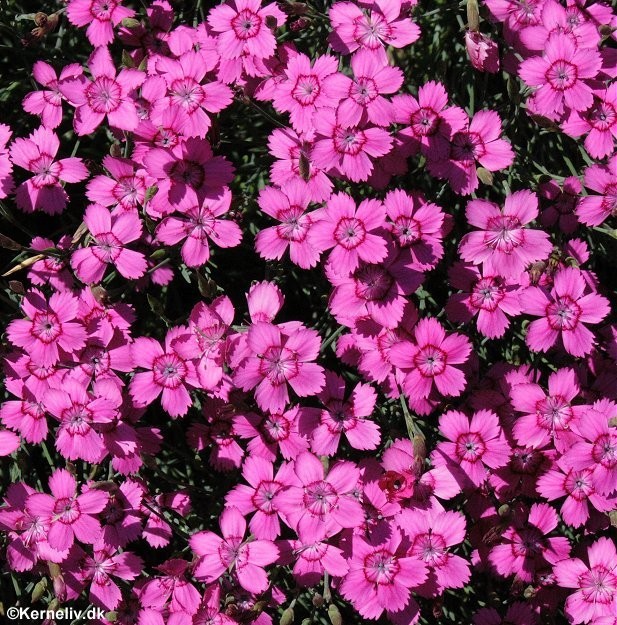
296 163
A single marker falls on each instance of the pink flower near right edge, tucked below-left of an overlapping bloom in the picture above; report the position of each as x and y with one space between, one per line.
579 490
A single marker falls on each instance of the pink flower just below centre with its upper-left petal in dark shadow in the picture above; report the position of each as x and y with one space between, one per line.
343 415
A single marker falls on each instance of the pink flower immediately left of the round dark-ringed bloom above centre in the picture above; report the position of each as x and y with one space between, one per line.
288 206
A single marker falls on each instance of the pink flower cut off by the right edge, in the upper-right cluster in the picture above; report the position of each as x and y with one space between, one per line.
600 121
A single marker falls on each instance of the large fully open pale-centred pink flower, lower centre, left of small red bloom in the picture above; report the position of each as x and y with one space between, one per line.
317 500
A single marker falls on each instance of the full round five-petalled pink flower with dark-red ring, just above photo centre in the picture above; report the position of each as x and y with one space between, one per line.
353 232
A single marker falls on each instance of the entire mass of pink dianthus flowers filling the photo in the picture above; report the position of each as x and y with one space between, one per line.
525 455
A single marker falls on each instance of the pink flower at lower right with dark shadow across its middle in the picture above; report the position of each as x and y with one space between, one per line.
524 549
